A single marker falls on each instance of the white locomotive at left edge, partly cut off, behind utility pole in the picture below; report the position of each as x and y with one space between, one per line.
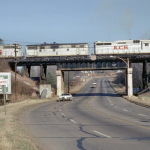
9 50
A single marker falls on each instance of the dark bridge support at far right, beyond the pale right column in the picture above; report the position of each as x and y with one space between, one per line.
144 76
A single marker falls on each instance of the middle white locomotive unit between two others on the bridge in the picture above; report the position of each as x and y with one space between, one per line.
57 49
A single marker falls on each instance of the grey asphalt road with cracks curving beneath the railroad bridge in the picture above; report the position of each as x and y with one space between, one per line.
96 119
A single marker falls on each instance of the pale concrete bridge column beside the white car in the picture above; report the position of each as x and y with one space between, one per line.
60 82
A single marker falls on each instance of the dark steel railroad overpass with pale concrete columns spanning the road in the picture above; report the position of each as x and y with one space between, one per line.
106 62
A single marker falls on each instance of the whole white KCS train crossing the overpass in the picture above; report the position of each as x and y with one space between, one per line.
79 50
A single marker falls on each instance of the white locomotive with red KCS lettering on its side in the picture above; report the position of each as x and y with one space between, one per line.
122 47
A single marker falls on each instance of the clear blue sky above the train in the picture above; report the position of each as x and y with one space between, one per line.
70 21
